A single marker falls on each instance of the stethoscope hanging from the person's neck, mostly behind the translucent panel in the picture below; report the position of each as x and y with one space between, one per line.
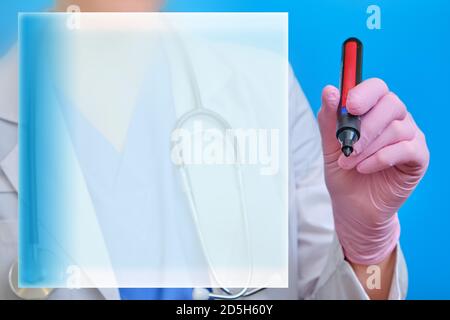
198 293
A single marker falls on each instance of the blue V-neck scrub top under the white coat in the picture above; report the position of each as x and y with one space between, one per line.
144 164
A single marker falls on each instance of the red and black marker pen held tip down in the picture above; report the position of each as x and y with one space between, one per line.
348 125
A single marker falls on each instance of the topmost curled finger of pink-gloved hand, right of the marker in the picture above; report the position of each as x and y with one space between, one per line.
365 95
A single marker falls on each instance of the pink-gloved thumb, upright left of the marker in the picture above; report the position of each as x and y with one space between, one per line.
327 118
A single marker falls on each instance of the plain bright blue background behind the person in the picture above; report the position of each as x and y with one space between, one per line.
411 53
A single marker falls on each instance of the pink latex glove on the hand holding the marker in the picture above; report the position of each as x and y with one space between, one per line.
388 162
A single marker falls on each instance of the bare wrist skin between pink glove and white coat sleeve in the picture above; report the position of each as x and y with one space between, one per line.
376 279
